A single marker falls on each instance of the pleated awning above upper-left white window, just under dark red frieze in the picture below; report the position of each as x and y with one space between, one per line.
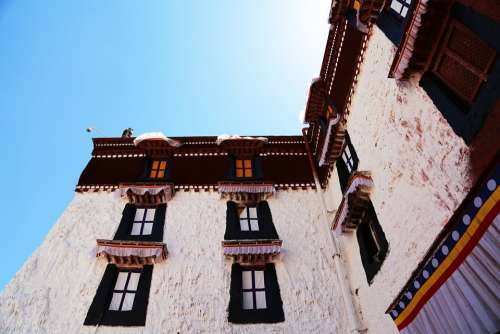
146 193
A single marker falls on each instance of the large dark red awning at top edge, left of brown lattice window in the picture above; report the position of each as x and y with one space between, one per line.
422 31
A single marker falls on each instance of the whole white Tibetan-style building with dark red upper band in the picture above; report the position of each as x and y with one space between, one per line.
382 216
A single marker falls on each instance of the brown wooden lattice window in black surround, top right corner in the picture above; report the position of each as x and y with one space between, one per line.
463 61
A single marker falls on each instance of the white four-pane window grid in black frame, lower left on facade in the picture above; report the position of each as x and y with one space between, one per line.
124 291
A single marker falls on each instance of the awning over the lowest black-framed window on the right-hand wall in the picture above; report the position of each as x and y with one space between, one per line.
354 203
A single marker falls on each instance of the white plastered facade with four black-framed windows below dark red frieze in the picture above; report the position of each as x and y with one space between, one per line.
190 290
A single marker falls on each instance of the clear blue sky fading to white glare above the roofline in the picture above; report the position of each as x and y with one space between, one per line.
181 67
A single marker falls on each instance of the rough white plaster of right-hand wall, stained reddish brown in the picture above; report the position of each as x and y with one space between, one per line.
420 169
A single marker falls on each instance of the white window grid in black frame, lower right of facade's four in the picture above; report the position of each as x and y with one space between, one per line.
254 290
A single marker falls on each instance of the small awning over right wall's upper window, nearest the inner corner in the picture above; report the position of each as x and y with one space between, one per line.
334 141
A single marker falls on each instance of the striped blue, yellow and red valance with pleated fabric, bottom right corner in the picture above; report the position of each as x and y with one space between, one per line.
455 289
